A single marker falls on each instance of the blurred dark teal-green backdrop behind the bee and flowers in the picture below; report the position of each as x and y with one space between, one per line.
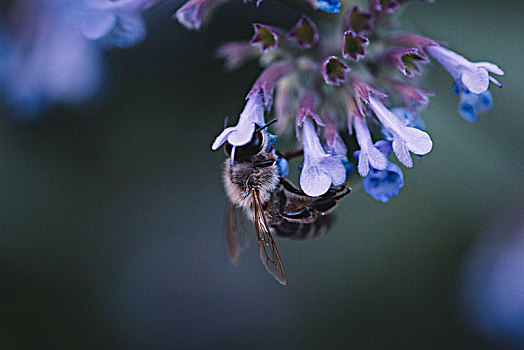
112 212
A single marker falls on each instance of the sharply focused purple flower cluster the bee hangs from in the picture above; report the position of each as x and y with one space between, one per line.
348 75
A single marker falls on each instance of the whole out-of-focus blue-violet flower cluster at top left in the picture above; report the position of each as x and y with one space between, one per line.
50 51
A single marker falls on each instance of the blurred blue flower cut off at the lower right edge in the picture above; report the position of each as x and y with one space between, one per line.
492 282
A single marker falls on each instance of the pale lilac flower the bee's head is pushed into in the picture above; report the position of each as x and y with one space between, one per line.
241 134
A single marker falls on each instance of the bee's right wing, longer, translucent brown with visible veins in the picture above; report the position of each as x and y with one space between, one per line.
268 250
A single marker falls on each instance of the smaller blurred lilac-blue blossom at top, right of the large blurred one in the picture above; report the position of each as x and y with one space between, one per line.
119 23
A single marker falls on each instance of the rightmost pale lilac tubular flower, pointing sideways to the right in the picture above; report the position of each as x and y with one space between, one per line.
473 75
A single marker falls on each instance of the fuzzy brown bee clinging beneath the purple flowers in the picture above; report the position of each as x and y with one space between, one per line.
254 181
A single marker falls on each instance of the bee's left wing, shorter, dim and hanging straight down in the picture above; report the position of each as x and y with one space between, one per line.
236 240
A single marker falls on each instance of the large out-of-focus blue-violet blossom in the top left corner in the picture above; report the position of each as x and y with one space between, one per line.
44 59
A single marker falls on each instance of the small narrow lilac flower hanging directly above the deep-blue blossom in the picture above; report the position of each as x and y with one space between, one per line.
369 155
